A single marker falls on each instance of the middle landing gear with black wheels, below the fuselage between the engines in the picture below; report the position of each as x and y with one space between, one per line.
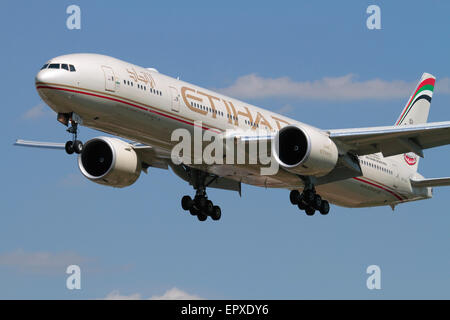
200 206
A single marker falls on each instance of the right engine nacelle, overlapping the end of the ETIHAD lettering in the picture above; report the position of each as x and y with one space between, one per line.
304 151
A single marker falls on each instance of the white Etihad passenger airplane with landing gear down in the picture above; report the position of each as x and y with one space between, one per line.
354 168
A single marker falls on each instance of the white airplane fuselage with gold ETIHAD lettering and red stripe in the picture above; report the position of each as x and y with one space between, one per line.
144 105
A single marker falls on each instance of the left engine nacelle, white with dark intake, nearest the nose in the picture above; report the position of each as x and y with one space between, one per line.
109 161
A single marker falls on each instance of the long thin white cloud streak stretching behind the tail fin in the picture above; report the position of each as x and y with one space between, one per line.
346 87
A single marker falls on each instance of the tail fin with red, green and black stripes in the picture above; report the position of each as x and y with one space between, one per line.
416 112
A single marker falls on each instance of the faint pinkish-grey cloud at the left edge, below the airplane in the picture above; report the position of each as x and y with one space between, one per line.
40 261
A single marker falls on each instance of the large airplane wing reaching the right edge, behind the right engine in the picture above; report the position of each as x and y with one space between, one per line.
392 140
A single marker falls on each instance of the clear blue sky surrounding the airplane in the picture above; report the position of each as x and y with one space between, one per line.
137 241
